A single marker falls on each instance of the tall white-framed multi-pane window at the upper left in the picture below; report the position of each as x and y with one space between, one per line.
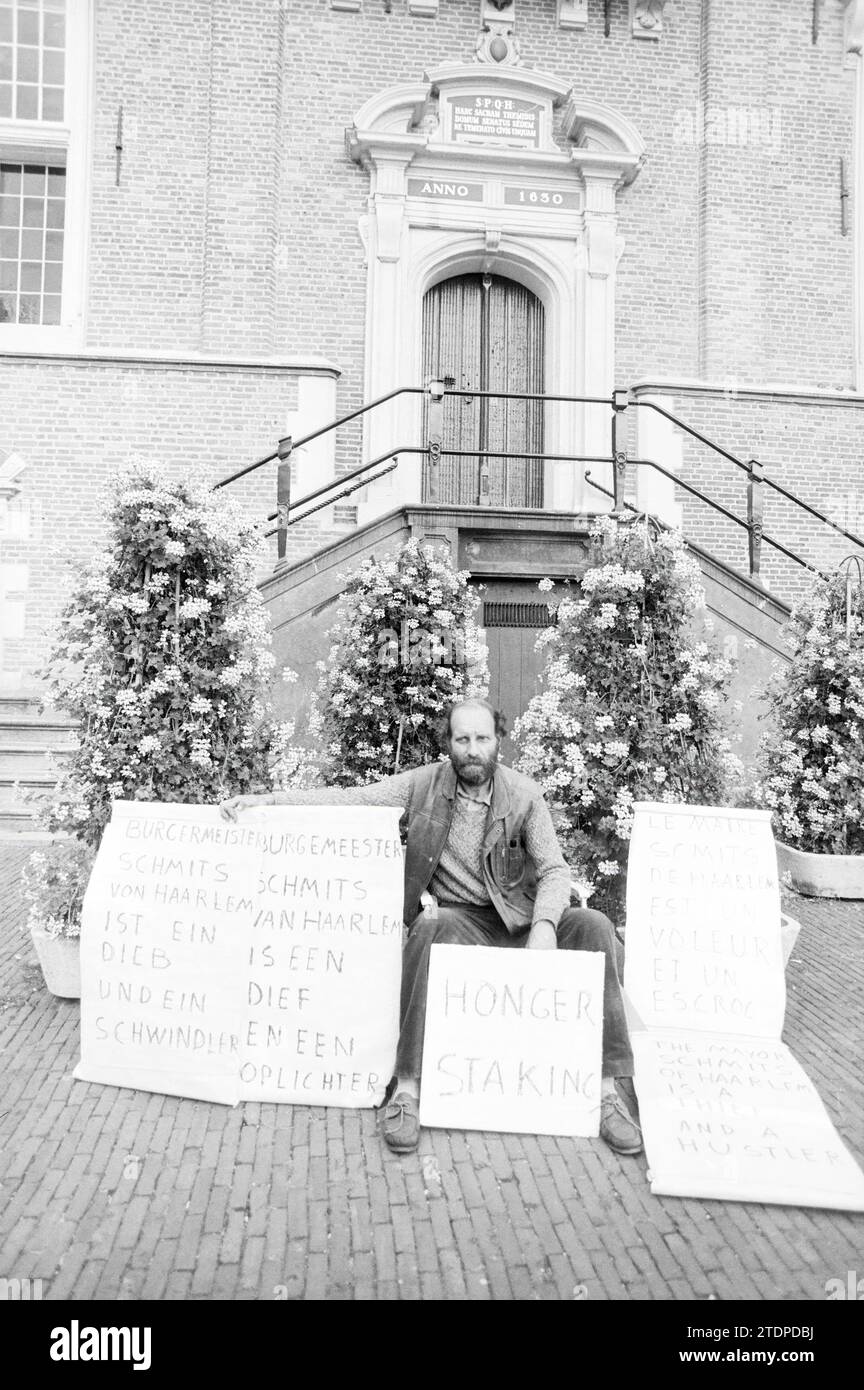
45 67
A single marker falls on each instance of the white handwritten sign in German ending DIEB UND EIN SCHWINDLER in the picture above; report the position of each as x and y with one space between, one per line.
163 943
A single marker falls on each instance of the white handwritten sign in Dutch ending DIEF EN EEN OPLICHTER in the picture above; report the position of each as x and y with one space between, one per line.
322 1003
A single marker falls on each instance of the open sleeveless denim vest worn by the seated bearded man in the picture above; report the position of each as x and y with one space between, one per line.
508 869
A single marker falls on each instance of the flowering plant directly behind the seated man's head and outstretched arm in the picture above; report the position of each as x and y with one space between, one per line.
404 647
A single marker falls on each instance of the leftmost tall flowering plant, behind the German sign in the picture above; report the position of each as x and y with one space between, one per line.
163 657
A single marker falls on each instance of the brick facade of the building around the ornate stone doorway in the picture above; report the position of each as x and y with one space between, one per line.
237 233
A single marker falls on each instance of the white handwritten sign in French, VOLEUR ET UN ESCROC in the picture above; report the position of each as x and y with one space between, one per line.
704 943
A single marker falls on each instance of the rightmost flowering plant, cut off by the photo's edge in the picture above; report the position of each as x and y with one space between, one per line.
812 758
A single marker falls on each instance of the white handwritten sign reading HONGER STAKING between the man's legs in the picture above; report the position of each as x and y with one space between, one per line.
513 1040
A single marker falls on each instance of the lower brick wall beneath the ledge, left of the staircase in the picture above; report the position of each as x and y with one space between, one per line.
78 425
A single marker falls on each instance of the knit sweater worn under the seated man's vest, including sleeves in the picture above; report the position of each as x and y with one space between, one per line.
460 876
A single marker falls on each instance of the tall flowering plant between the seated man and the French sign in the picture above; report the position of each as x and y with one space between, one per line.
630 707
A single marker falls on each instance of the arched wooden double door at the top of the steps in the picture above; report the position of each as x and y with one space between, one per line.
485 333
